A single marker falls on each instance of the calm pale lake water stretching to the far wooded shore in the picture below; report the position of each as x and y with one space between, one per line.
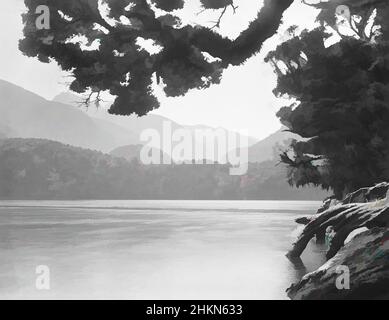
152 249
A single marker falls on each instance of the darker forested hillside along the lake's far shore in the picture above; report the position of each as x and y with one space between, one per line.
43 169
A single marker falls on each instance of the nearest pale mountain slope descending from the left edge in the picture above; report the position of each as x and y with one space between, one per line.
27 115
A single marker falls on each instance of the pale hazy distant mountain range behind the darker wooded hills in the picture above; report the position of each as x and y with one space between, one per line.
27 115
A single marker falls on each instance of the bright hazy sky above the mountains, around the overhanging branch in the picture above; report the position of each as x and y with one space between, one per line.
243 101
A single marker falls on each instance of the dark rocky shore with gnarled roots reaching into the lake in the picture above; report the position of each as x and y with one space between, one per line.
358 248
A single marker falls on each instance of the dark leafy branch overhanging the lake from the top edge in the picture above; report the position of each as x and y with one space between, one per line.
121 66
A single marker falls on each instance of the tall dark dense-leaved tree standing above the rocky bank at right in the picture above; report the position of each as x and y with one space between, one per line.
341 93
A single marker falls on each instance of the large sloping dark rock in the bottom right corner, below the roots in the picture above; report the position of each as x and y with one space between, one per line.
366 258
